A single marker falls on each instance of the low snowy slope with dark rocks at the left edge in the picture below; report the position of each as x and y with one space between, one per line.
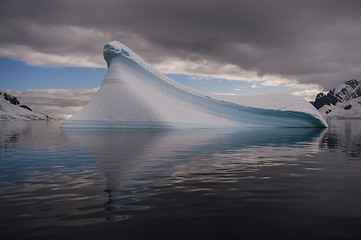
11 109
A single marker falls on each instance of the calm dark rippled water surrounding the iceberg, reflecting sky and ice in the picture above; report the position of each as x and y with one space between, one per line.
180 184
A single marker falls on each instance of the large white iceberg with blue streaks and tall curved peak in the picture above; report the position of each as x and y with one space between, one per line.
134 94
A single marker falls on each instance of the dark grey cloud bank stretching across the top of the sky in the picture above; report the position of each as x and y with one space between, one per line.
312 41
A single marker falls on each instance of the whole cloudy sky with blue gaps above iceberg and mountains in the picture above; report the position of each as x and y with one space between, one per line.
55 47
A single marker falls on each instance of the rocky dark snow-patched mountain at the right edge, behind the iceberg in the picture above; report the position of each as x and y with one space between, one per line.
342 102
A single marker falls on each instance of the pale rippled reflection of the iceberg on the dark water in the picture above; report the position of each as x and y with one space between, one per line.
134 160
